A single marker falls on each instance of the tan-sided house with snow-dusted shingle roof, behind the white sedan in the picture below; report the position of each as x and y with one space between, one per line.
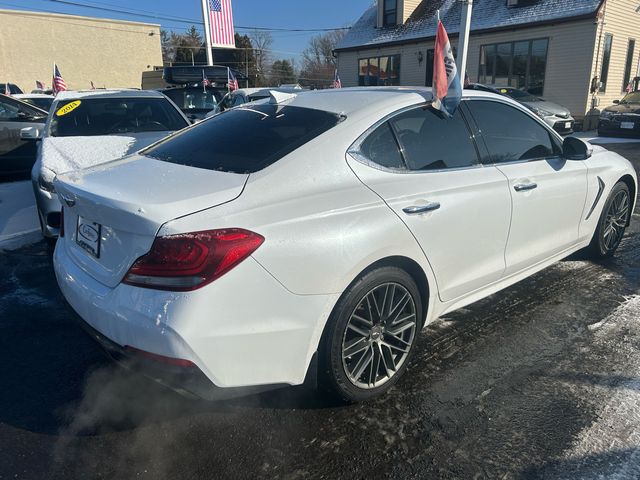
578 53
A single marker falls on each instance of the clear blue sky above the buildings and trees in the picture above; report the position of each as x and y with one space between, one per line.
301 14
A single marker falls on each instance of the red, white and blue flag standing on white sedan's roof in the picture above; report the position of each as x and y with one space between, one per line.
447 91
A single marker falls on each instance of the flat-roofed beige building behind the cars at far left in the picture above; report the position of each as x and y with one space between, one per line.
109 53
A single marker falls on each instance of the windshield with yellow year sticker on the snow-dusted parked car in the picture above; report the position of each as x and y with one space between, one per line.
110 116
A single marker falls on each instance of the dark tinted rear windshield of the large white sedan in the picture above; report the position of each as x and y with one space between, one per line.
245 139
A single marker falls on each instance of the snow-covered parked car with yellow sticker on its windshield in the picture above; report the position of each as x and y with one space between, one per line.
86 128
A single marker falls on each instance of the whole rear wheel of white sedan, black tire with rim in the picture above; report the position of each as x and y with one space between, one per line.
386 284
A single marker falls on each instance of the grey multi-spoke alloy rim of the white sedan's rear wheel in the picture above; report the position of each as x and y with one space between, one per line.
379 335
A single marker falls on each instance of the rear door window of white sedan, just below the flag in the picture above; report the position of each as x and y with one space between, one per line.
431 142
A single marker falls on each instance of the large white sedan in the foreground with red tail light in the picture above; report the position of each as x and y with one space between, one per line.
318 233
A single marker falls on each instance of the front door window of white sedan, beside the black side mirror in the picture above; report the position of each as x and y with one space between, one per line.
511 135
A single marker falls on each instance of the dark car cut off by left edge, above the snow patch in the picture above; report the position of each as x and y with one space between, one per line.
17 156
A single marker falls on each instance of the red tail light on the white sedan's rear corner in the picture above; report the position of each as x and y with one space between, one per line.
191 260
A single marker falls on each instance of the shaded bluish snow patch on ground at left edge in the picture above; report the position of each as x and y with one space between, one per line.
18 215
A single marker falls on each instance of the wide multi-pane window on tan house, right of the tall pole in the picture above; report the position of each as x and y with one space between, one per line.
517 64
